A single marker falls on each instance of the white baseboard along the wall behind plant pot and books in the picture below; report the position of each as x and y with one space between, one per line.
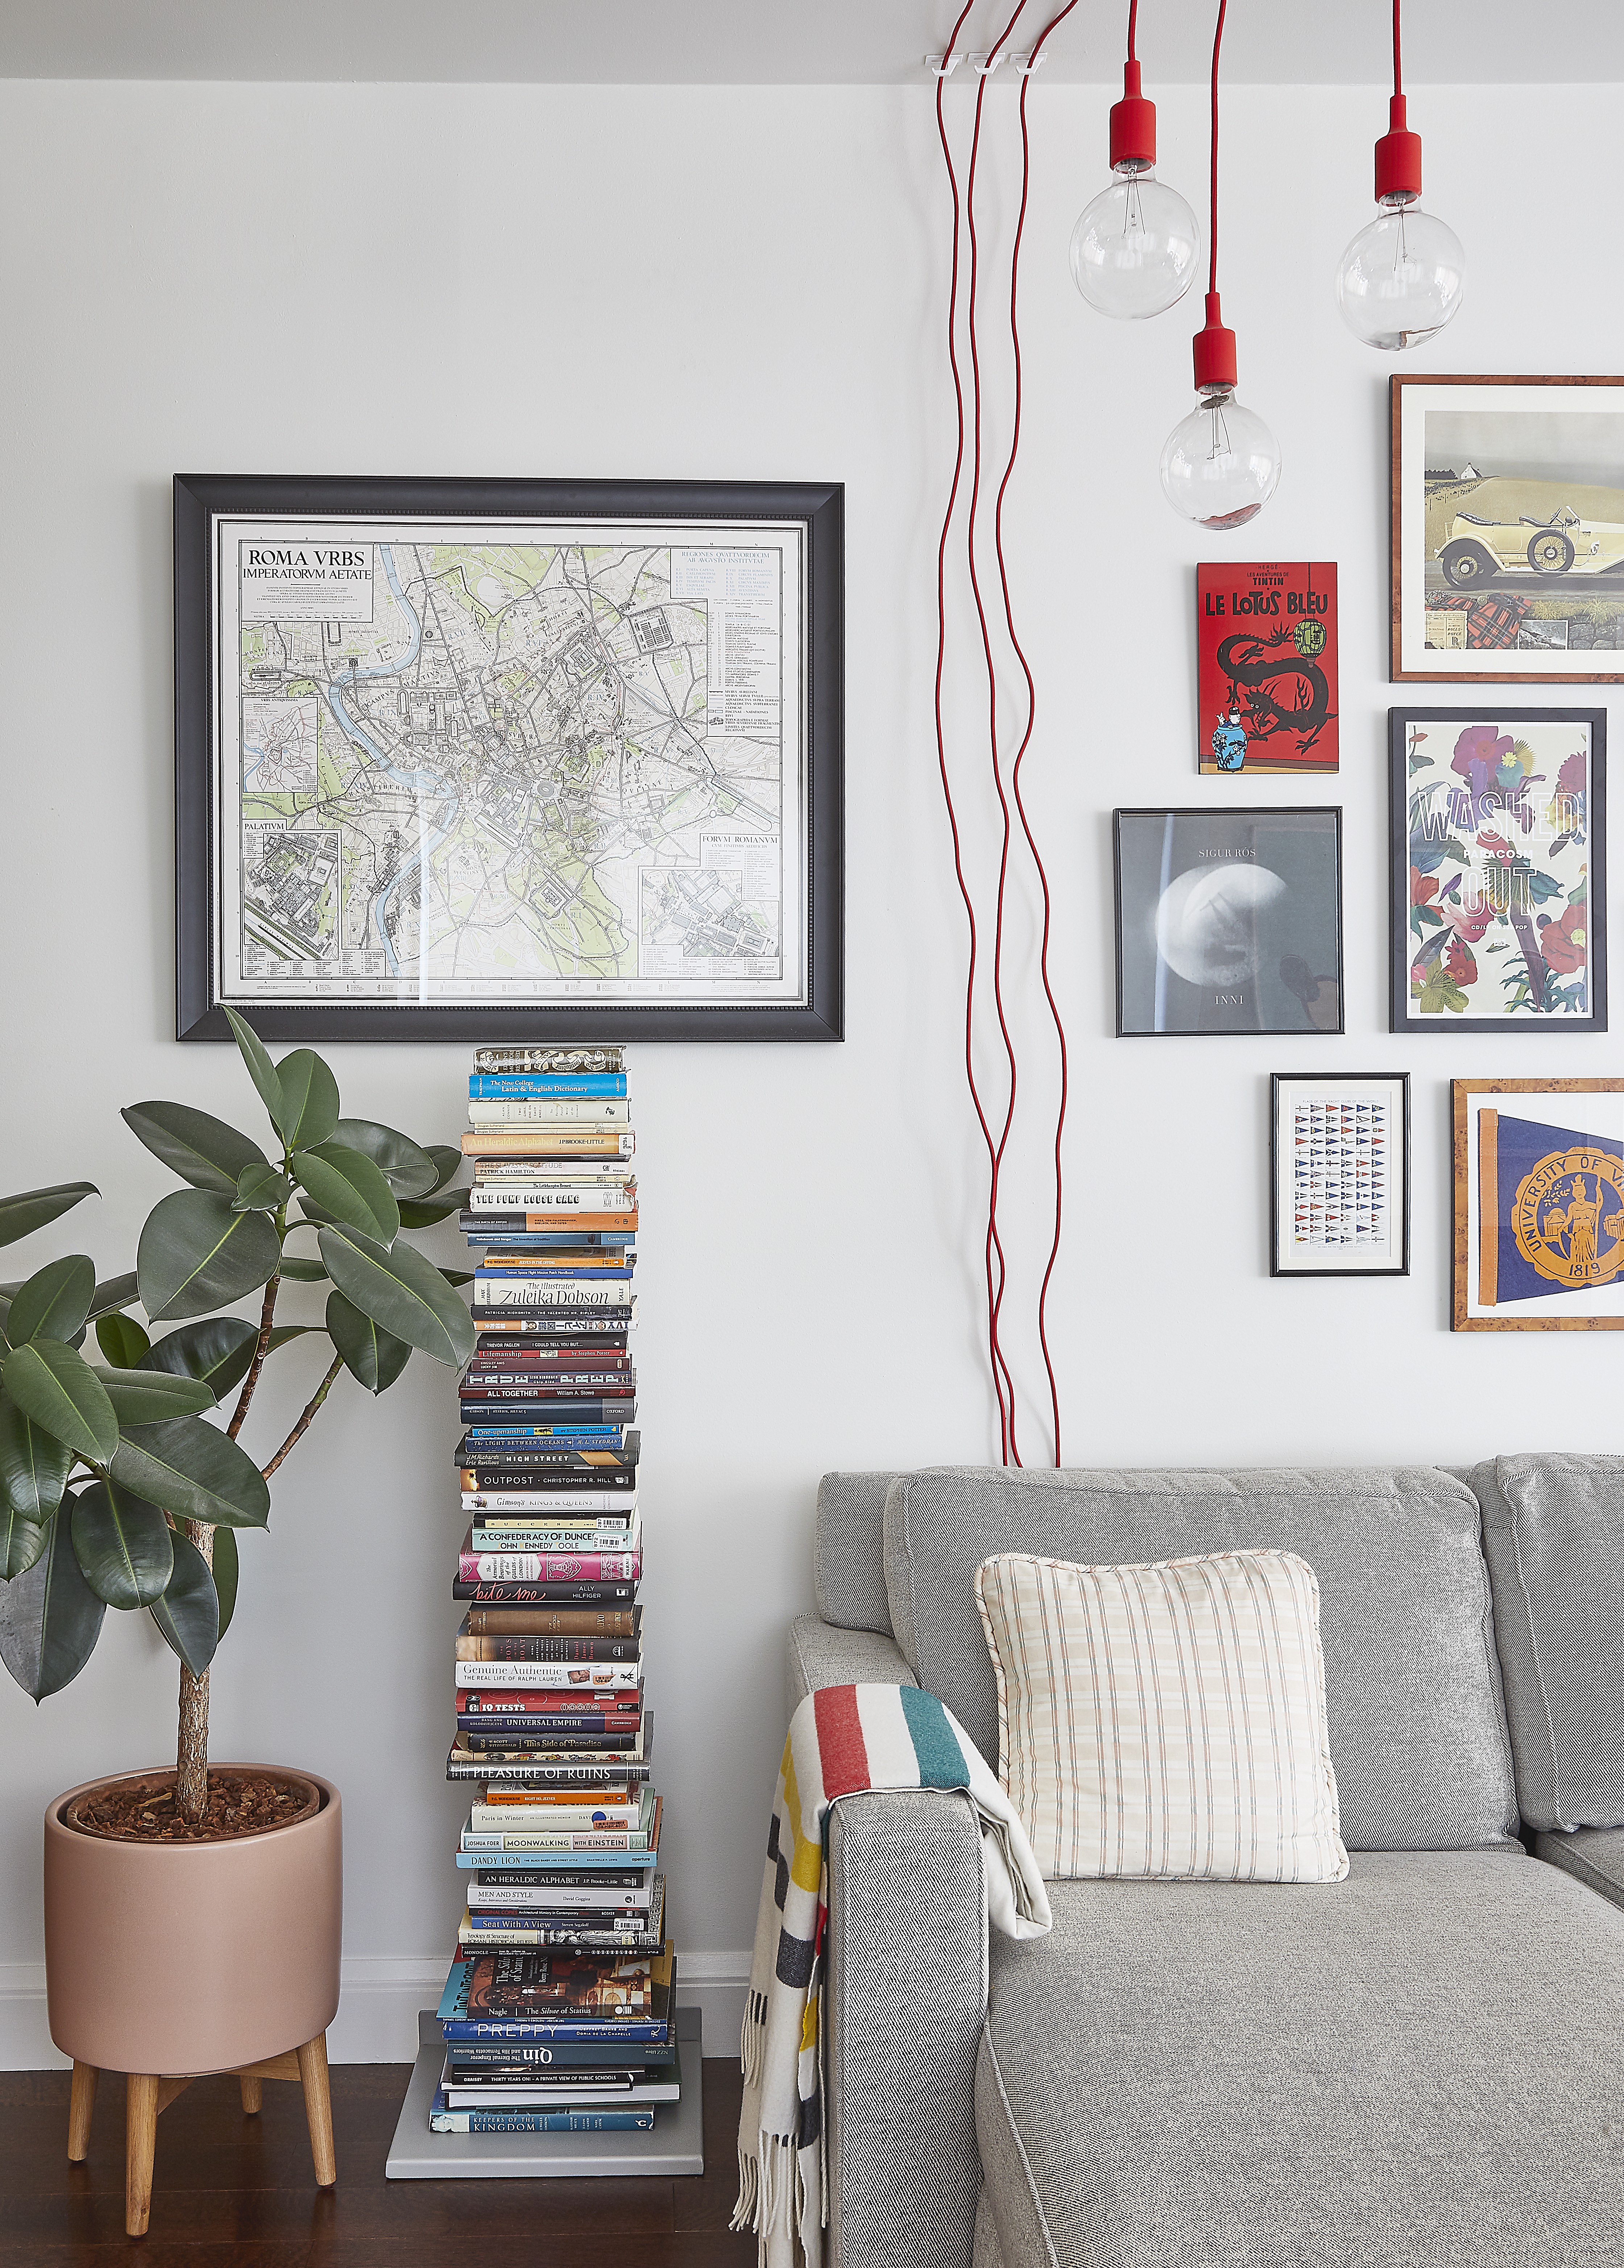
378 2008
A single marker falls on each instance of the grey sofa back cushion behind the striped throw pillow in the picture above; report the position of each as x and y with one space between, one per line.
1419 1732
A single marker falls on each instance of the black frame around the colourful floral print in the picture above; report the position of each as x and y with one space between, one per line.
1403 1015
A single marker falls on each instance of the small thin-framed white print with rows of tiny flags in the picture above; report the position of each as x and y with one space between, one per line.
1339 1174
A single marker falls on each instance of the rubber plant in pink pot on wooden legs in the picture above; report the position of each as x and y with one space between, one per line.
192 1918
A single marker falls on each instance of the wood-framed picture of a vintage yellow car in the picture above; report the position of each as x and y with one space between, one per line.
1507 530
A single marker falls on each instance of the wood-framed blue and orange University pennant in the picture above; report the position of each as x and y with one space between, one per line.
1539 1205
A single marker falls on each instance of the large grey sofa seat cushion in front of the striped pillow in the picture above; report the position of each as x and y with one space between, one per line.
1414 2065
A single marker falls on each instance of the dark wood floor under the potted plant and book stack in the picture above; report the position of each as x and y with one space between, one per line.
232 2190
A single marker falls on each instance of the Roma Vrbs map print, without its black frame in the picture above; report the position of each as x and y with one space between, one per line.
466 765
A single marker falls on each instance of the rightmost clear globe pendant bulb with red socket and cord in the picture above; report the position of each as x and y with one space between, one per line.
1403 278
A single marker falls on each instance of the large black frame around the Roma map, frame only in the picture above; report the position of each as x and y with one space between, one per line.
820 511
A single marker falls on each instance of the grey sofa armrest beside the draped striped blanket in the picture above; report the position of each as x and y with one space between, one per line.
904 2011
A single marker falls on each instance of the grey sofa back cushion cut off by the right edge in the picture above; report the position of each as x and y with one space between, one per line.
1555 1543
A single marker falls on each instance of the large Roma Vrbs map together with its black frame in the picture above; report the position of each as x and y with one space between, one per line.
502 761
